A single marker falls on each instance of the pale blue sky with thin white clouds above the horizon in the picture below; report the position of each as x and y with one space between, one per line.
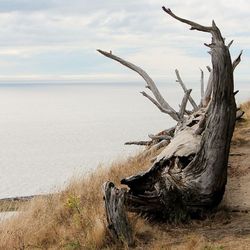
56 40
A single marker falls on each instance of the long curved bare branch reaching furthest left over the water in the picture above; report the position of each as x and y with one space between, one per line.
150 83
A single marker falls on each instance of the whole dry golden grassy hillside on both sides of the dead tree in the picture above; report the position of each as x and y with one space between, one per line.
75 219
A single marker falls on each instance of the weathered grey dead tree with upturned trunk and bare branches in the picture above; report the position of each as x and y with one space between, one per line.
188 178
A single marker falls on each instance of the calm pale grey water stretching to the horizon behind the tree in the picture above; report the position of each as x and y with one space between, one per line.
49 133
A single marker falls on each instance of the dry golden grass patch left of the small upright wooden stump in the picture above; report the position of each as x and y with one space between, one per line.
72 219
